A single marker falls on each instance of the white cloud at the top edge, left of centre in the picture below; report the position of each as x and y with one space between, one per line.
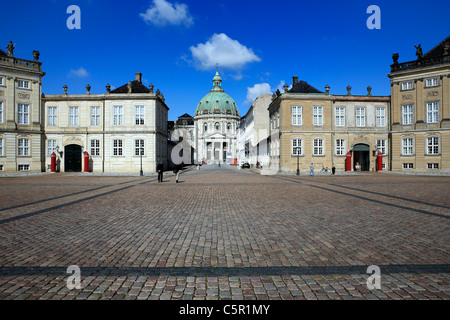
162 13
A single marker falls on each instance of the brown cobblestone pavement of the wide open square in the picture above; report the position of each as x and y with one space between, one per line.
224 234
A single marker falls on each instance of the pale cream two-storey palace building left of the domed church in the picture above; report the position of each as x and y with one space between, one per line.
122 130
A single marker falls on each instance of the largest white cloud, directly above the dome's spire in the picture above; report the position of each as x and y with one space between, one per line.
221 49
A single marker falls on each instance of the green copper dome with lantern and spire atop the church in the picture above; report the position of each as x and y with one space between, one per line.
217 101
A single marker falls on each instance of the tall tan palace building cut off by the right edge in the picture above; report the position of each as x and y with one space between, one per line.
420 110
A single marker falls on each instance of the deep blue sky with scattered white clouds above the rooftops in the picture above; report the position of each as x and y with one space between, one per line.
259 45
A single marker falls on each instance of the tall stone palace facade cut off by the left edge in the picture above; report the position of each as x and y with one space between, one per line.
21 129
